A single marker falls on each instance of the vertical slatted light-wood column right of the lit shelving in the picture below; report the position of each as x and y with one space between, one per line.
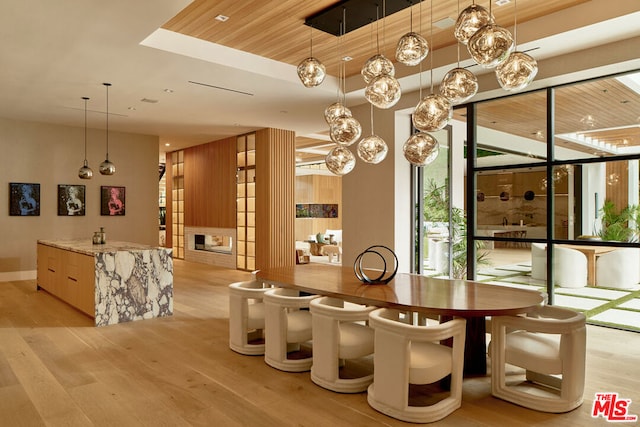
275 202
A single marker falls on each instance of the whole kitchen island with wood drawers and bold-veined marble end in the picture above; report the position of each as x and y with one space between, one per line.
113 283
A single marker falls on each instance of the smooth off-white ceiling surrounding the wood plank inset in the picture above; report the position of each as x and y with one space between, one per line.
55 52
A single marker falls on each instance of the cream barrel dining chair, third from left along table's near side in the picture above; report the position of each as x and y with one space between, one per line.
340 334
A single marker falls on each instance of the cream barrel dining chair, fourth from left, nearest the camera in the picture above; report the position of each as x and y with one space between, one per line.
411 354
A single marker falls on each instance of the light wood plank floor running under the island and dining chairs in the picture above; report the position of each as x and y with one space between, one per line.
56 369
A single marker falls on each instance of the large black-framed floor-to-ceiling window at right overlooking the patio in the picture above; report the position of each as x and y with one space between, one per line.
556 195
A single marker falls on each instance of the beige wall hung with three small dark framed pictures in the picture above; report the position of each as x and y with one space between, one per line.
51 155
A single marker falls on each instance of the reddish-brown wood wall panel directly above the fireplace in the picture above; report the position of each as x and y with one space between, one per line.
209 181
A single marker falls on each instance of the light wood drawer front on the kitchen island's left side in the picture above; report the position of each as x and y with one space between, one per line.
69 276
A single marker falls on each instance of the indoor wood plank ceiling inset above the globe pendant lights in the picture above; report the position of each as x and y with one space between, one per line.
275 28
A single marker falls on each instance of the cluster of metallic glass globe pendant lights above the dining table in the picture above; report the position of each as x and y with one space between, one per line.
490 45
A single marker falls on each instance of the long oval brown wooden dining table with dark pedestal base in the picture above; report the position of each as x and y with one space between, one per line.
444 297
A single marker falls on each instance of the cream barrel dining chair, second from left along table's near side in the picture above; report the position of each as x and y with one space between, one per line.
288 330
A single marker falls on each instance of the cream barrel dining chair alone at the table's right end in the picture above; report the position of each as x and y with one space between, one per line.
550 345
